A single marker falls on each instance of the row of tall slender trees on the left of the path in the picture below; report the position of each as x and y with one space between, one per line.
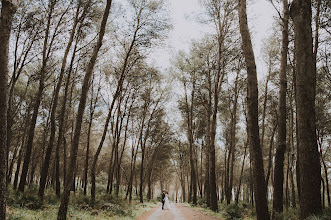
68 93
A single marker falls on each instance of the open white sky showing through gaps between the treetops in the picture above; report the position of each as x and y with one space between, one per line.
185 29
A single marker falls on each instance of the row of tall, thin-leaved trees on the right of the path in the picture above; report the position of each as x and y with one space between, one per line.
287 134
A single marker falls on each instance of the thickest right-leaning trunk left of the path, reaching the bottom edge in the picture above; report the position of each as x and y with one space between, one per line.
62 213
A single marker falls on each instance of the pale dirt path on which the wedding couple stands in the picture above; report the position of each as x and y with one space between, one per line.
178 211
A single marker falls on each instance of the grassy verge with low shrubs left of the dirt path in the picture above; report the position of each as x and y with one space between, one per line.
27 206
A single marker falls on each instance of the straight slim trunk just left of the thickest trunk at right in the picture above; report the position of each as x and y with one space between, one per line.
281 142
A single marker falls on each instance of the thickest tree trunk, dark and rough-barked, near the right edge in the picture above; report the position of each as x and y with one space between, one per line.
309 161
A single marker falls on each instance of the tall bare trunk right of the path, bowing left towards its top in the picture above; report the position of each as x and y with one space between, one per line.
252 106
